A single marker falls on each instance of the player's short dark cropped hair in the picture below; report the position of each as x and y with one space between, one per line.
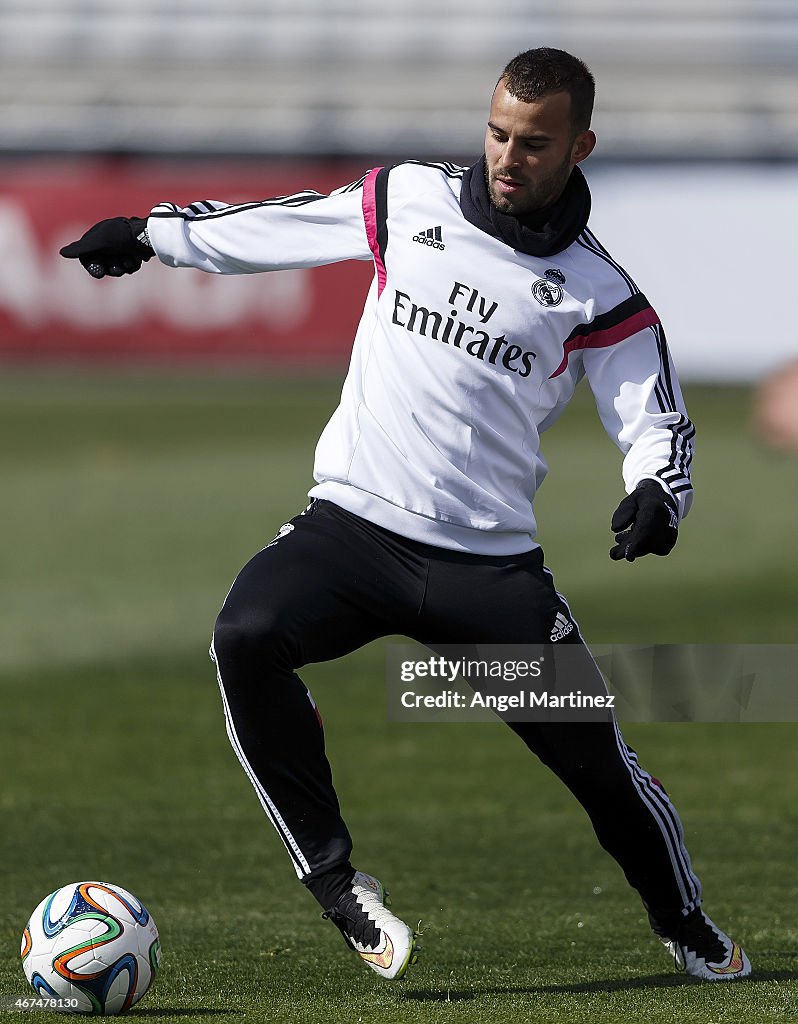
540 72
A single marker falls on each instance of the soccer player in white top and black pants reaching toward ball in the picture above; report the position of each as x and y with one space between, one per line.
491 300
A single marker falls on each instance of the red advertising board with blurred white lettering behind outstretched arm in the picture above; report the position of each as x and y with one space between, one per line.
51 309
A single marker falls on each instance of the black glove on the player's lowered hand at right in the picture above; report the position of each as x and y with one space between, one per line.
653 517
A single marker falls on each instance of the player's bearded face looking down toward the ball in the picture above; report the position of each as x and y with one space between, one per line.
531 151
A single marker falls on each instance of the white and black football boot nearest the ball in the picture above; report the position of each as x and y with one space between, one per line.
380 938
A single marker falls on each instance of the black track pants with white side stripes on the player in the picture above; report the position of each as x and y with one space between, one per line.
333 583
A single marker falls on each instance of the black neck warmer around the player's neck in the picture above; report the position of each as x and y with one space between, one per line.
544 234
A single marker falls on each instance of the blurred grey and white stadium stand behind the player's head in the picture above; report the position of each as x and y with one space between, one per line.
680 79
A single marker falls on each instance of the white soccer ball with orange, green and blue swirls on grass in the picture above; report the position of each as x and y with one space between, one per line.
93 948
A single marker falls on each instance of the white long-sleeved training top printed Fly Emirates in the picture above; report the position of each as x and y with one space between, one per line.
467 352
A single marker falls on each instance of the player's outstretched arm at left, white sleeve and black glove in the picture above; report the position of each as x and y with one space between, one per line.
290 232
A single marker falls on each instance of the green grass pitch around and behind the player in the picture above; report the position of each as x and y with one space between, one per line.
131 502
